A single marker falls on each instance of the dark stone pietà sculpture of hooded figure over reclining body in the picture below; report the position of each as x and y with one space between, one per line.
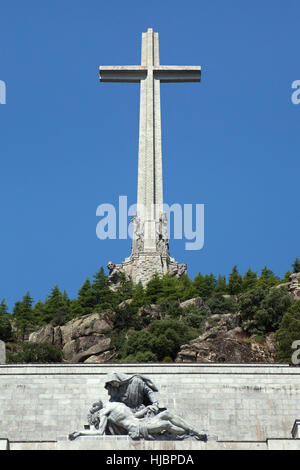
133 410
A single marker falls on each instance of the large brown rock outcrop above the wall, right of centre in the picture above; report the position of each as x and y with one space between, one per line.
223 340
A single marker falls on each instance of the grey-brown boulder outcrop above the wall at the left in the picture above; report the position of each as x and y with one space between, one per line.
80 339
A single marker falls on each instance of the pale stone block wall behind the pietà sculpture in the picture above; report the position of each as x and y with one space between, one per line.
235 402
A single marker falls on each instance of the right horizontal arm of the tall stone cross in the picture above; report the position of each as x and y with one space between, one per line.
176 74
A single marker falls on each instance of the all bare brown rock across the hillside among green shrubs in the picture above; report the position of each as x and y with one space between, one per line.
225 336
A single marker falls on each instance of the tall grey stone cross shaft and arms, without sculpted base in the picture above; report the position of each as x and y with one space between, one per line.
150 74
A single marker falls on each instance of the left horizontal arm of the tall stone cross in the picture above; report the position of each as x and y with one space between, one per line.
127 74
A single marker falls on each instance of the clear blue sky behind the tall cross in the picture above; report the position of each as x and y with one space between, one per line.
69 143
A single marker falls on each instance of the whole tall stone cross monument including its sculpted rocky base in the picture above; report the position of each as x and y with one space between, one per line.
150 246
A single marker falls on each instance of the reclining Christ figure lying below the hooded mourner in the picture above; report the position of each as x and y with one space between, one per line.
138 425
